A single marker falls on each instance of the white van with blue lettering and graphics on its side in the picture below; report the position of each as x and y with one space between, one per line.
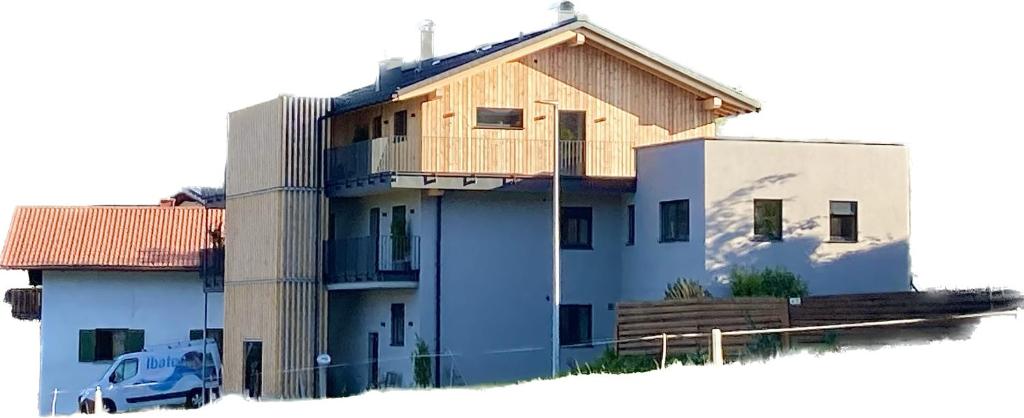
162 375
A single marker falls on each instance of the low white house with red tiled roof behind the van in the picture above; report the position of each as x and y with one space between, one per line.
113 280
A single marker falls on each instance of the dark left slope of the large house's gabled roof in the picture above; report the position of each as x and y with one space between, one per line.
393 80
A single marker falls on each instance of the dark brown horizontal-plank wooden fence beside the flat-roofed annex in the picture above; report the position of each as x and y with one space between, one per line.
701 316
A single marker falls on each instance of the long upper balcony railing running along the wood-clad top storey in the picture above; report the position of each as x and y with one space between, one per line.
476 156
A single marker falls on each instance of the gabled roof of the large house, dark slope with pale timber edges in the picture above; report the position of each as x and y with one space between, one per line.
405 81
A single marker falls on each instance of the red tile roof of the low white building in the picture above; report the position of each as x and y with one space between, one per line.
123 238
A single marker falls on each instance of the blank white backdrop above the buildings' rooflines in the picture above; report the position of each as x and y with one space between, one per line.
124 103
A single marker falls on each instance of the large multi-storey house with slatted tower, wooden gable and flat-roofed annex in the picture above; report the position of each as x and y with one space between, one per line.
420 208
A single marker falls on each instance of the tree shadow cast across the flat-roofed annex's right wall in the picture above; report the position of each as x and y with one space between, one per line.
872 265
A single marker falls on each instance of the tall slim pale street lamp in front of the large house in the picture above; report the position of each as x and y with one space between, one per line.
557 292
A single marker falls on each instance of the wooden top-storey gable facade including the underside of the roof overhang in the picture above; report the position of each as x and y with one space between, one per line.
622 103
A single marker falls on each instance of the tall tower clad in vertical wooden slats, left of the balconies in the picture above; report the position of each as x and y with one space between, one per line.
273 247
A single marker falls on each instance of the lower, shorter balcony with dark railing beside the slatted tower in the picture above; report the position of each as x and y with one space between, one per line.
370 263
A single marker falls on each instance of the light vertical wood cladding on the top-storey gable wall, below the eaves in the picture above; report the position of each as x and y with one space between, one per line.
625 107
